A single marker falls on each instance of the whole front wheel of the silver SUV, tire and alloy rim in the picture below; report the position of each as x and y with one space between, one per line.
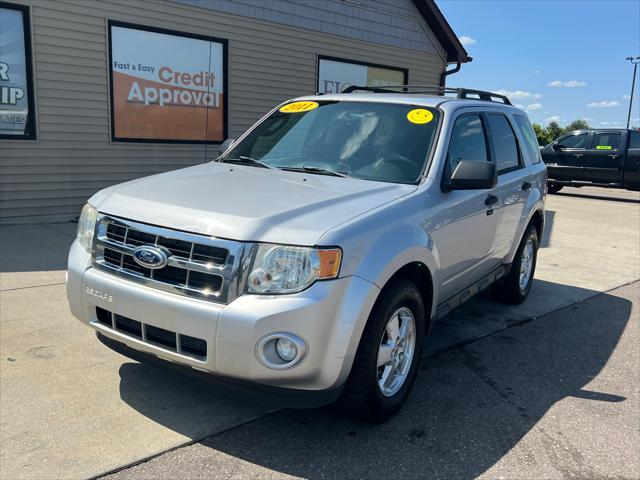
387 359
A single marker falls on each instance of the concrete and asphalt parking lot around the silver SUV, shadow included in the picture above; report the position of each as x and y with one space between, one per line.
548 389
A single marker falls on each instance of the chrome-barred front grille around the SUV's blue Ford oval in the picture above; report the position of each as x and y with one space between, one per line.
198 266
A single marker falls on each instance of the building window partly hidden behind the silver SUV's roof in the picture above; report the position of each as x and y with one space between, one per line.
336 74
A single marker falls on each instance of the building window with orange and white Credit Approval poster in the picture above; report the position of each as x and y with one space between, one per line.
167 86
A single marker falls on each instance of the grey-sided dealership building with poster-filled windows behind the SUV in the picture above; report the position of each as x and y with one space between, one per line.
94 93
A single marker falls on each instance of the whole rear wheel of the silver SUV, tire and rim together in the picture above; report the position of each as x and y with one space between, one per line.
515 287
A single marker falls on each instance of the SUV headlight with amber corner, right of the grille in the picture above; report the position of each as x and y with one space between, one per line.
279 269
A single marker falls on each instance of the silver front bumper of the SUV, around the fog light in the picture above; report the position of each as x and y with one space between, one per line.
329 316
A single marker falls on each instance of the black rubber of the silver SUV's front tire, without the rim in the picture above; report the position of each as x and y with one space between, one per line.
361 397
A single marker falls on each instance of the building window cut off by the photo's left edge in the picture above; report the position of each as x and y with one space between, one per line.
17 113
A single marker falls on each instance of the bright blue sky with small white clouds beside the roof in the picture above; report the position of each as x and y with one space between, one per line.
563 59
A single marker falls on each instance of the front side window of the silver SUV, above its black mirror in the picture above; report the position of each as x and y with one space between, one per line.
467 143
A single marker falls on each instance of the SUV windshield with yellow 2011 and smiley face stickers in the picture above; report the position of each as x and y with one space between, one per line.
373 141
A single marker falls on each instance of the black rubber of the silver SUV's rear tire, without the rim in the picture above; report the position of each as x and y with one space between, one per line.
508 290
